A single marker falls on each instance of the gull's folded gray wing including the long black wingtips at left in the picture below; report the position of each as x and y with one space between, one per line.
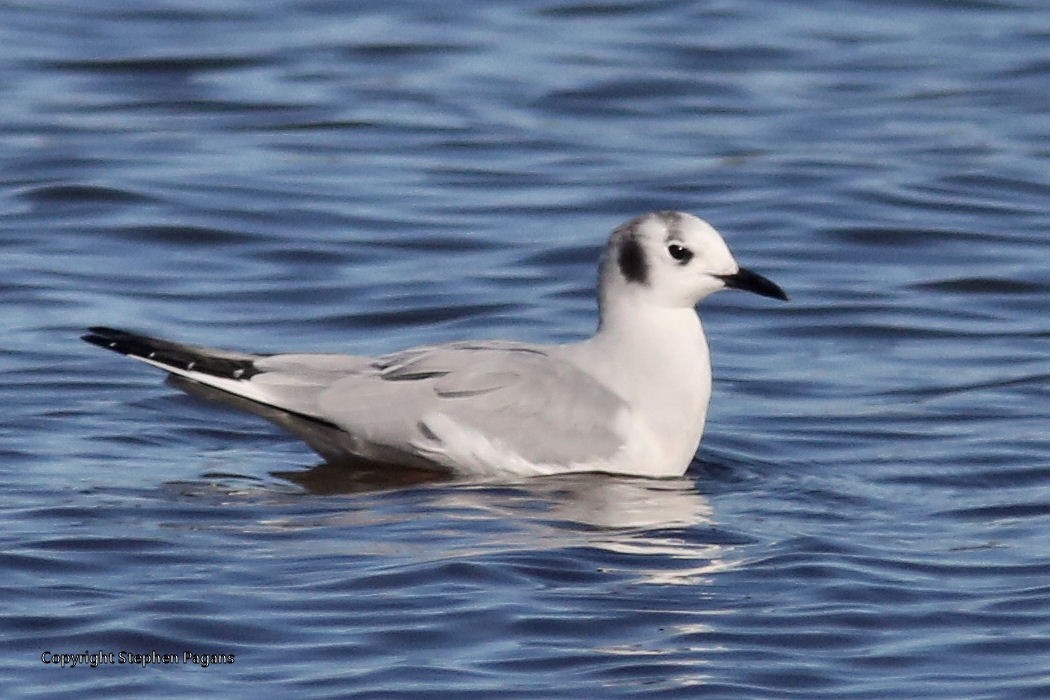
427 407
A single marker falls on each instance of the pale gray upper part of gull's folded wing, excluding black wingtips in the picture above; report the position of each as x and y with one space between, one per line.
524 400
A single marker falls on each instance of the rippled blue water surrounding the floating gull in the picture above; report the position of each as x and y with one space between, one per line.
869 514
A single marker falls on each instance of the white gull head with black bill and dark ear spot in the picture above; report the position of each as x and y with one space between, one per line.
673 260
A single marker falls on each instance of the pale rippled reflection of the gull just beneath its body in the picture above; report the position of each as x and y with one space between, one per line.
661 532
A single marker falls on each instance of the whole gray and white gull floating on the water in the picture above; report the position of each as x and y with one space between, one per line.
633 399
